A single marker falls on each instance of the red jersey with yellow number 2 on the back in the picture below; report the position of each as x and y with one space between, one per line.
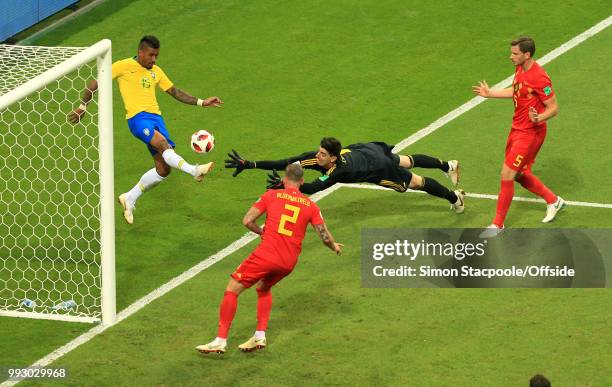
288 214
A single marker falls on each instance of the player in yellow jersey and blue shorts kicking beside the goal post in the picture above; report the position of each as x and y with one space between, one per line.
137 78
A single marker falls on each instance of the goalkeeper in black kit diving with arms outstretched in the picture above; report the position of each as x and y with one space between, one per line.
372 162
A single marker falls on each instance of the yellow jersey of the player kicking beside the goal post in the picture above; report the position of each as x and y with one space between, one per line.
137 86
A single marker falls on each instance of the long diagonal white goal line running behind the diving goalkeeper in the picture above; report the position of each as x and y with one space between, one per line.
136 306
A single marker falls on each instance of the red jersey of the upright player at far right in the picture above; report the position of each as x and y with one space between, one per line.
531 88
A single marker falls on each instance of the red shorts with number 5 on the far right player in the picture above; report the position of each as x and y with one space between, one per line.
522 148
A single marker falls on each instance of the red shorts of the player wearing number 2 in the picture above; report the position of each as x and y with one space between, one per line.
253 269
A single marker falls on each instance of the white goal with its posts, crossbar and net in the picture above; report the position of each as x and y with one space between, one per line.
57 227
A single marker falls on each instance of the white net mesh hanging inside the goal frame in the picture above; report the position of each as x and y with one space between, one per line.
49 189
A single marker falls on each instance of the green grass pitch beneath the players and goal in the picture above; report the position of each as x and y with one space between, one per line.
291 73
